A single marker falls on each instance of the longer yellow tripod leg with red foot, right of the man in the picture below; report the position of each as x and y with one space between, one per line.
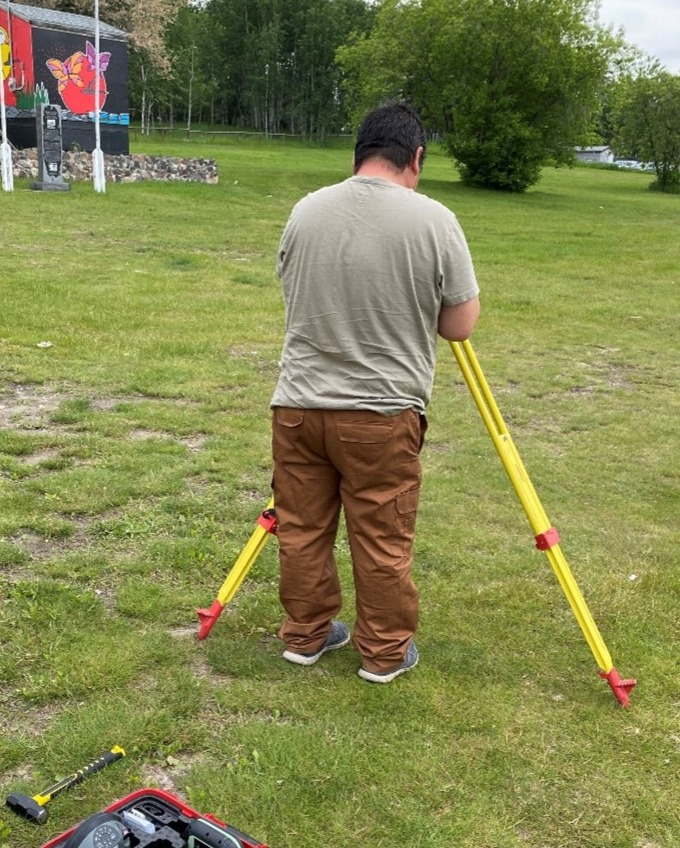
546 537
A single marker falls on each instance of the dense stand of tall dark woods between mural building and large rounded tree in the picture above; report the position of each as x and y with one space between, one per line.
265 65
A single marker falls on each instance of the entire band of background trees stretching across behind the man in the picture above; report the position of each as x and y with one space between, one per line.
506 84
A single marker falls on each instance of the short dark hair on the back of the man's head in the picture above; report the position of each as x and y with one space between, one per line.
393 132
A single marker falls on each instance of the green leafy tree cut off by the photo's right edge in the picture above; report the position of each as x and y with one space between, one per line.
648 125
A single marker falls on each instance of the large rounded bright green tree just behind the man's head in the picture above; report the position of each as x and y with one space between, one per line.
508 83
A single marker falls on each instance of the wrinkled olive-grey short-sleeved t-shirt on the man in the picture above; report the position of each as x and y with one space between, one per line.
366 266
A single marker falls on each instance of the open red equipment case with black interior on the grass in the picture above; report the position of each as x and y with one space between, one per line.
153 818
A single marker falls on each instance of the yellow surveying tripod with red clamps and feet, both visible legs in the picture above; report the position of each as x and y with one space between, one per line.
545 535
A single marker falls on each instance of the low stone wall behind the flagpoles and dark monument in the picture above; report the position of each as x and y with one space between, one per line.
120 168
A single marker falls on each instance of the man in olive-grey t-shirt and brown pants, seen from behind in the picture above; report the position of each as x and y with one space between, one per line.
371 272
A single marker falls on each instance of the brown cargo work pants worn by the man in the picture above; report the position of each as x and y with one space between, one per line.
368 464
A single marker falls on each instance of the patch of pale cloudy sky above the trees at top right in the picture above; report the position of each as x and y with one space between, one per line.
652 25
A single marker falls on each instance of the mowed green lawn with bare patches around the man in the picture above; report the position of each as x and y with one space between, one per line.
139 337
